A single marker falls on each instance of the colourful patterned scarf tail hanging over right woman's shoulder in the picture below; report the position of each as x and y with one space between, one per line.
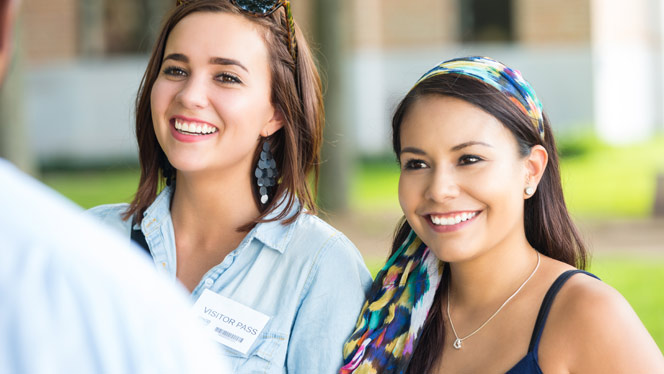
397 306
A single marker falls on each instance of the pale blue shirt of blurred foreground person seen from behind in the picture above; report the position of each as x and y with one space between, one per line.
76 298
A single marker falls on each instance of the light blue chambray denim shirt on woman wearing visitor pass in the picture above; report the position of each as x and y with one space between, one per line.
307 276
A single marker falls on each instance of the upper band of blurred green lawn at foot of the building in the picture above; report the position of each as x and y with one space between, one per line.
600 182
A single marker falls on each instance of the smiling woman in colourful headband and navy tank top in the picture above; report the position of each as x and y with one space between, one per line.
483 276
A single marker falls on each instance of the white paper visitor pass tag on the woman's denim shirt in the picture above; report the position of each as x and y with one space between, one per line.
230 323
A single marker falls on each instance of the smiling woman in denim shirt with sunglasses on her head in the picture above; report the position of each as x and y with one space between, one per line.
229 122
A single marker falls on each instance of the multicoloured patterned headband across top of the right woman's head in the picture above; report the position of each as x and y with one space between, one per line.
504 79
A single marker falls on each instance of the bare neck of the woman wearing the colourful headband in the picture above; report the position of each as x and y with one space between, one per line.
493 276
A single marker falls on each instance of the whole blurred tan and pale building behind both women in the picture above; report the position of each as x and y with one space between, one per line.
595 64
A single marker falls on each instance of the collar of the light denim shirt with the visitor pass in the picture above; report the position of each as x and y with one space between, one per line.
273 234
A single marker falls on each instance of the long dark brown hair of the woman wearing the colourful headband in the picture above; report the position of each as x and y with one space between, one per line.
548 225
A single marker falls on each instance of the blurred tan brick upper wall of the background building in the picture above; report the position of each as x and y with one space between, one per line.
51 25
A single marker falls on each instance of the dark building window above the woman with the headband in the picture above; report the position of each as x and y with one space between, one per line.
486 21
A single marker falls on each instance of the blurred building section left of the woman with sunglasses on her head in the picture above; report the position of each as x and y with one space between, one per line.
82 63
